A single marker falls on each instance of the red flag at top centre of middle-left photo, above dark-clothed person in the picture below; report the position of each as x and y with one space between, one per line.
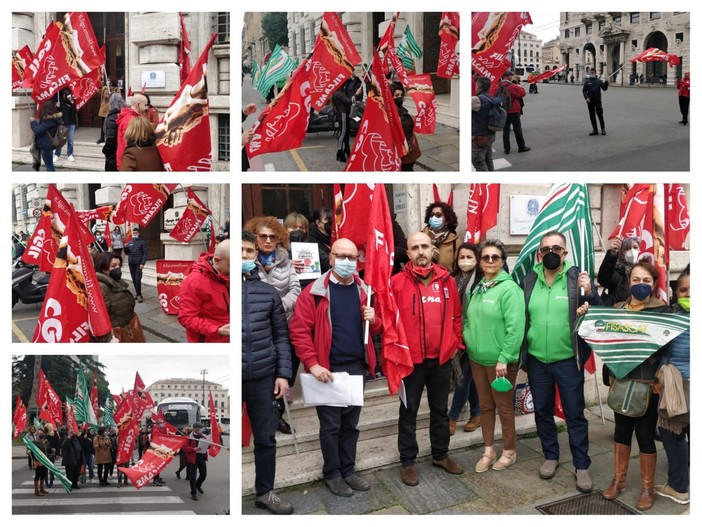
140 202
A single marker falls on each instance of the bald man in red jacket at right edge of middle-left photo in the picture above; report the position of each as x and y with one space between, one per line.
204 297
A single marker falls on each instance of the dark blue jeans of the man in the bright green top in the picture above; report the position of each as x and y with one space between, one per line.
543 380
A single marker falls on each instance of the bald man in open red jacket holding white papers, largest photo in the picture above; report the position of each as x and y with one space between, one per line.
326 331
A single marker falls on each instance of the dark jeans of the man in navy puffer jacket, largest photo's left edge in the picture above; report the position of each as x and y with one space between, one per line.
263 415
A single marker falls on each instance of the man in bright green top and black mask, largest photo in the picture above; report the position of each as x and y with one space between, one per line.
554 355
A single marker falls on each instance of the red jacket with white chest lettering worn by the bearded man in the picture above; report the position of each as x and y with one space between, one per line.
407 293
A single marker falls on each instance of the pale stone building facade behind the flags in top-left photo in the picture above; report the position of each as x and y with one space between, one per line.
139 46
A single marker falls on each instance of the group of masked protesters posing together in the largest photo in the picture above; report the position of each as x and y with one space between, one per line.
462 306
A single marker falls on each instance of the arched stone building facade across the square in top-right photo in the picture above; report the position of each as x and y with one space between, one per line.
607 40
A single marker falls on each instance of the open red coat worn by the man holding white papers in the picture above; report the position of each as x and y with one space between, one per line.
310 325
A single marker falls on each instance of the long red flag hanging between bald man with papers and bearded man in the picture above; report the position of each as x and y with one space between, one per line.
380 256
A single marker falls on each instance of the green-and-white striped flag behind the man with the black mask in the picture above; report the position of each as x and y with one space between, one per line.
566 210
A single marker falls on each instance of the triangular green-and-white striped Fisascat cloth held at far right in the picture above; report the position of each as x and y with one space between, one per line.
623 339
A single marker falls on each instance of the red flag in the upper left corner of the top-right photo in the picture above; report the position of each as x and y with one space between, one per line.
492 37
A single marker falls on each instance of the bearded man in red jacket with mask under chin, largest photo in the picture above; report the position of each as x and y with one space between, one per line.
428 301
